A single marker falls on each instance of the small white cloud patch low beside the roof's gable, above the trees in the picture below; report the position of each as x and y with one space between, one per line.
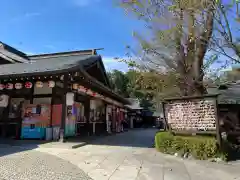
111 63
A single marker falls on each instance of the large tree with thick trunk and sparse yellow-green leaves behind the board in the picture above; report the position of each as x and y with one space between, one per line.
180 32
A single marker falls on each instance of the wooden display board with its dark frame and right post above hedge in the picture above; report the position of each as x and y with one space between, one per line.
193 115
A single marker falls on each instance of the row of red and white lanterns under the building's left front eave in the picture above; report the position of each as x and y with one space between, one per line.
28 85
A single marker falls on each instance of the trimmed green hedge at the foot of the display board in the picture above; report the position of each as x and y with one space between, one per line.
200 147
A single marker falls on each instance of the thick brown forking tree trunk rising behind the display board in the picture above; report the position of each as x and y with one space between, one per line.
190 64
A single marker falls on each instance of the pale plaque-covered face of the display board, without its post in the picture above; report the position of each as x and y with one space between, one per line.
194 114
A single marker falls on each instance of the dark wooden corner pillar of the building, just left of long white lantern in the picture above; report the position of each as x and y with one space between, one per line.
63 120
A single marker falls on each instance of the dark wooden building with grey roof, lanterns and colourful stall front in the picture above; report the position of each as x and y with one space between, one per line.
53 98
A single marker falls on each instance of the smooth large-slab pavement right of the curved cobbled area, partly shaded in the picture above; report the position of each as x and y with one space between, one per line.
129 156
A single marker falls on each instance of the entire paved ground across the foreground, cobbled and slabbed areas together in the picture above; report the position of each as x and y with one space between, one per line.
125 156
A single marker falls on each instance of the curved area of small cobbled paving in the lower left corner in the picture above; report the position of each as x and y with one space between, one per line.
21 164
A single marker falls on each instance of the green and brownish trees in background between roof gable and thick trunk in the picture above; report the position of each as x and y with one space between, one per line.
149 87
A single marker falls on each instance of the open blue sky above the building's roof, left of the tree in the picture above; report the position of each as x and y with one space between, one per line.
45 26
